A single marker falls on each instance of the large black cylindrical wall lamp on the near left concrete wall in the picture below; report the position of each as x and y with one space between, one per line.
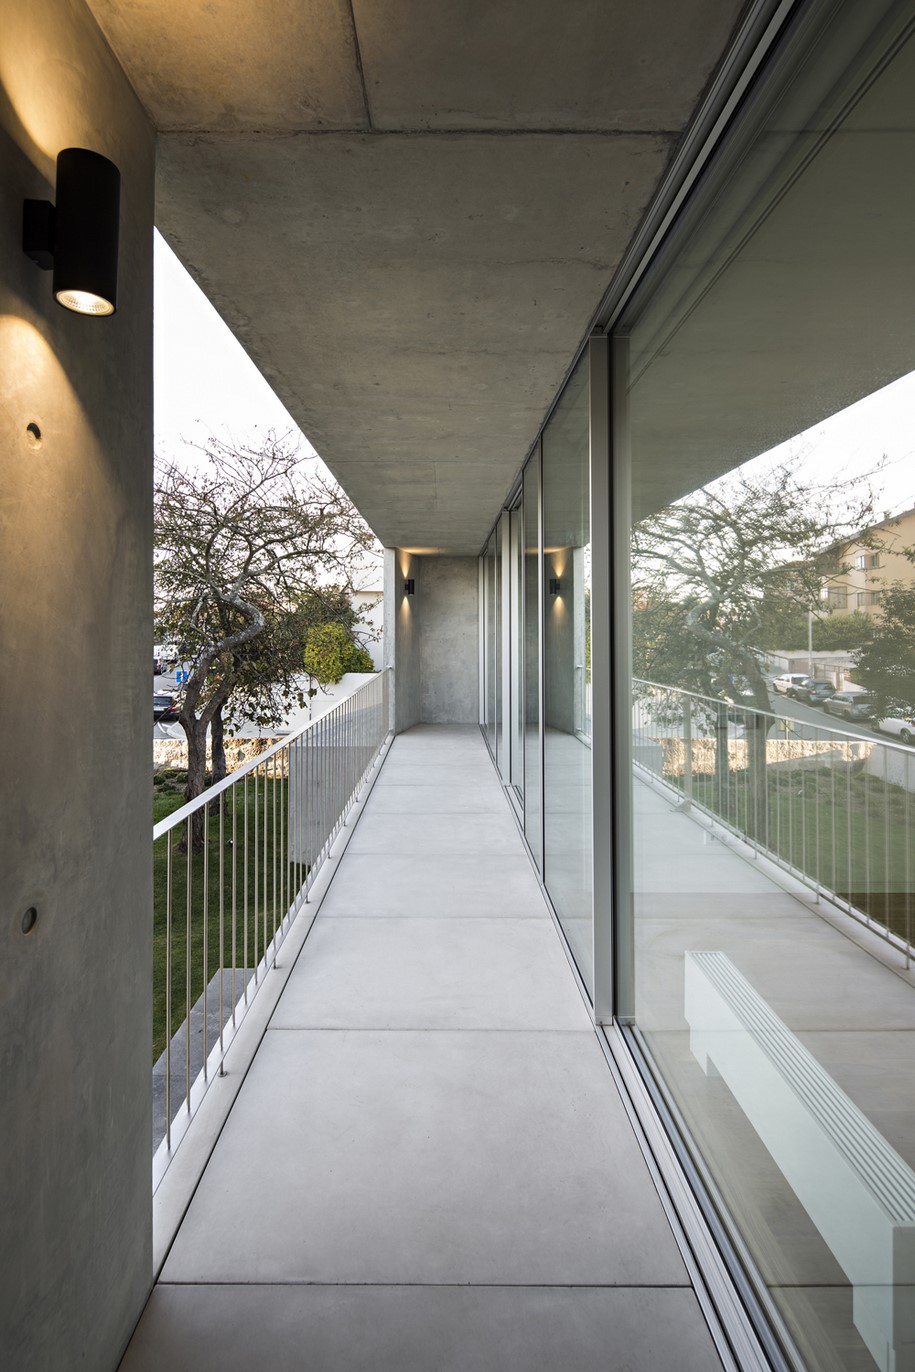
79 238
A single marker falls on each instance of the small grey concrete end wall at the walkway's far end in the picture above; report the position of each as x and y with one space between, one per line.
433 639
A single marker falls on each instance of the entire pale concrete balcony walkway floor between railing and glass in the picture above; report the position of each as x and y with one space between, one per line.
429 1164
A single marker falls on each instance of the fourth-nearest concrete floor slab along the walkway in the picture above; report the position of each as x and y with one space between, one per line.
444 887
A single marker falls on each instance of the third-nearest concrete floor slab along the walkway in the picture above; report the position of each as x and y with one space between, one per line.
429 975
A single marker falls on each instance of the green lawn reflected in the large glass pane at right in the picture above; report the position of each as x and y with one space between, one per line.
855 835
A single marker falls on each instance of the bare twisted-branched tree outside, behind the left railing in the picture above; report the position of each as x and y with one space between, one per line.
242 541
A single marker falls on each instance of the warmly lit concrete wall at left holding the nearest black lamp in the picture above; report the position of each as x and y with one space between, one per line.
75 724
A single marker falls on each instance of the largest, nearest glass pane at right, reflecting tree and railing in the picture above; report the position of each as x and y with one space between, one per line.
772 364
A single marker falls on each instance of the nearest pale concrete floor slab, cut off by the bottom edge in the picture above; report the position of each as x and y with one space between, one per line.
416 1329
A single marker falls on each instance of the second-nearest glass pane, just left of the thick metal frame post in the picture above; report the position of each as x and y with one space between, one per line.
567 657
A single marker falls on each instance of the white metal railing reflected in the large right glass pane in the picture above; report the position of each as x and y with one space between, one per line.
835 809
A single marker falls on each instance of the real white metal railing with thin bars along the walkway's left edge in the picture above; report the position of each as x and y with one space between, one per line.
231 872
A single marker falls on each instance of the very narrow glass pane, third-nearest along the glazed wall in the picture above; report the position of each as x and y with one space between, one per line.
533 809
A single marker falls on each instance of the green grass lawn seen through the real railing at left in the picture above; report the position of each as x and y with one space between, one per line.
265 883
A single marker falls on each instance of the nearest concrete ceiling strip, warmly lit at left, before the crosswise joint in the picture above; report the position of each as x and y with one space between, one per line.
529 64
